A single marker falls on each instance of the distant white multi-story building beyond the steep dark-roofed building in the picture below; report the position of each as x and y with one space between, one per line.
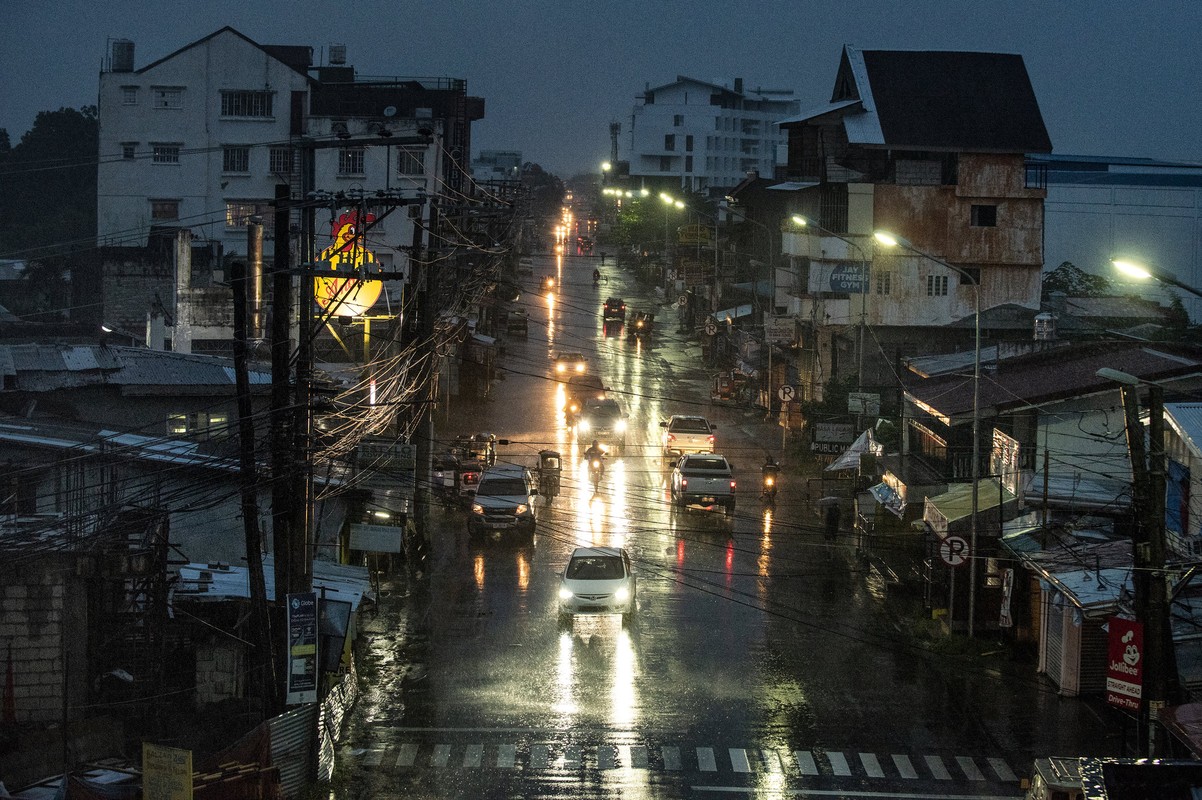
706 138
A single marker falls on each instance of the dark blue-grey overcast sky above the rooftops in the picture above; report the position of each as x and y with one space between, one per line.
1112 77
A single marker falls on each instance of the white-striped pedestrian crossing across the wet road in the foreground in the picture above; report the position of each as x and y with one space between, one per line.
674 759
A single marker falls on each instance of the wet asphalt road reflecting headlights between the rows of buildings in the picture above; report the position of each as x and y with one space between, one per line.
764 661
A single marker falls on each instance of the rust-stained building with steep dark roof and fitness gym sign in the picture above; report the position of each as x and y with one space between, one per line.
931 146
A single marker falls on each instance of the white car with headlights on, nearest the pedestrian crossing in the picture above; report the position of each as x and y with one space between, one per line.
598 581
